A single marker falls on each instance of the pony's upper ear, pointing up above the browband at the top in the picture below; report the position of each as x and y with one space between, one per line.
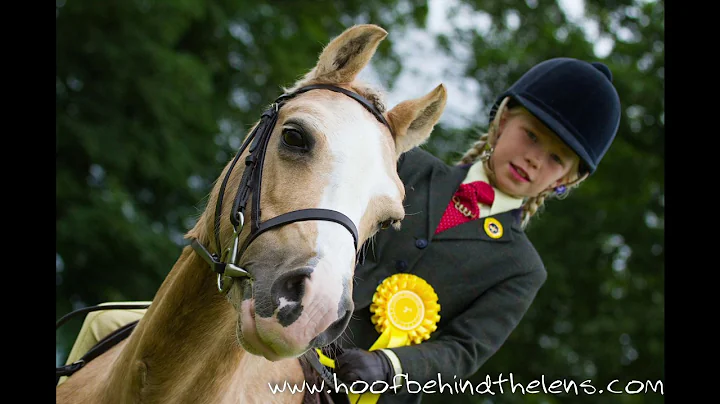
346 55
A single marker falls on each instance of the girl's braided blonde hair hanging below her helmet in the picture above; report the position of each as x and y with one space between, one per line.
482 149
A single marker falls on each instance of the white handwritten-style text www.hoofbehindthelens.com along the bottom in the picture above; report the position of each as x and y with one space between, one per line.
503 385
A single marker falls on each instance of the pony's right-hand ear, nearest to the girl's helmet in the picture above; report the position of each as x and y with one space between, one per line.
413 120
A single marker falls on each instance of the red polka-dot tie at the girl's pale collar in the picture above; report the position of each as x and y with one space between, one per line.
466 198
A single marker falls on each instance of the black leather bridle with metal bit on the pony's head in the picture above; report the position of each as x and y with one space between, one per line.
226 266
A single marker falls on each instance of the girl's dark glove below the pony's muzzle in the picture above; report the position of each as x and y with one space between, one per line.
354 364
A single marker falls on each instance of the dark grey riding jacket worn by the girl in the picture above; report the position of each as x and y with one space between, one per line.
484 285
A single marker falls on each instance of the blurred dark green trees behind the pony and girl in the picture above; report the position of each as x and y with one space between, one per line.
152 99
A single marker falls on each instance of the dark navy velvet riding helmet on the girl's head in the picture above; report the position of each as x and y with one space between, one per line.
573 98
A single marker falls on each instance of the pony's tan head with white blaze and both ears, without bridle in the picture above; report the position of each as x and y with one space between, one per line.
326 151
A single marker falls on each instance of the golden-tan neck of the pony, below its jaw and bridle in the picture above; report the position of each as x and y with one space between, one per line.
185 345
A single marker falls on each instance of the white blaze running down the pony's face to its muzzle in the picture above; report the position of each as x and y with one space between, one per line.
357 174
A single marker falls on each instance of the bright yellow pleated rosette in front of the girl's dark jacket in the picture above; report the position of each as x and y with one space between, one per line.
405 312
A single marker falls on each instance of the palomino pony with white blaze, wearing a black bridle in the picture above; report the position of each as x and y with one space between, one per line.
327 160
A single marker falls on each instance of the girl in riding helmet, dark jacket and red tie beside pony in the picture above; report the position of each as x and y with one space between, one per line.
462 247
